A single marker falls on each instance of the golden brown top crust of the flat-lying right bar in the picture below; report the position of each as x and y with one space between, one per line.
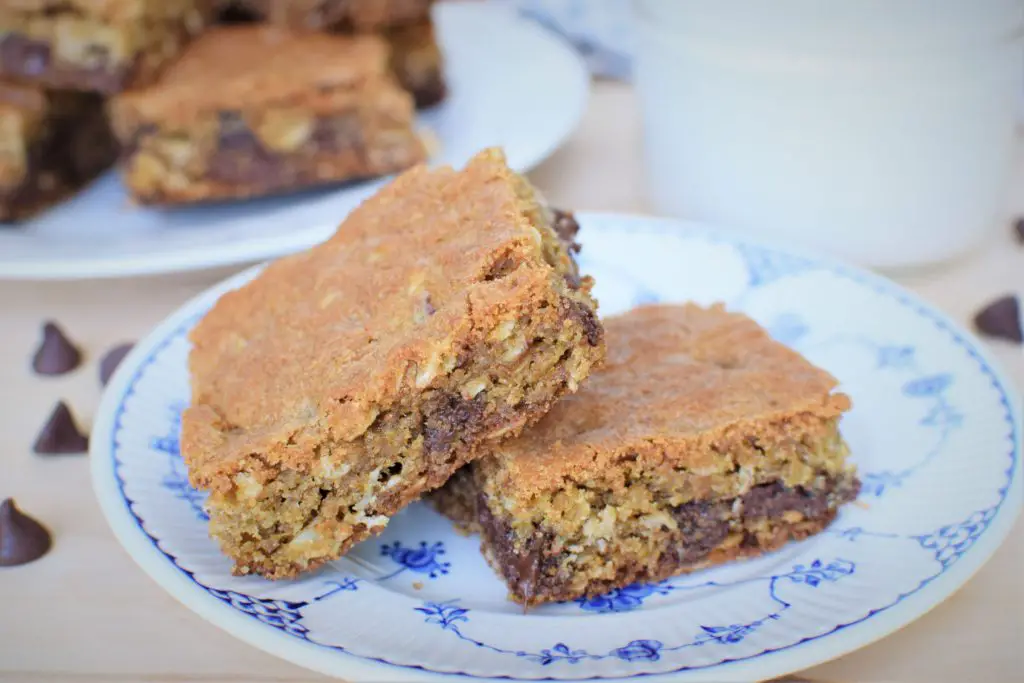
679 383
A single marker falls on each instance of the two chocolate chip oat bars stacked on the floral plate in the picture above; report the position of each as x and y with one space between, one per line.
444 340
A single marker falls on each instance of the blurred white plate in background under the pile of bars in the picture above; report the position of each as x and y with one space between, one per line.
511 82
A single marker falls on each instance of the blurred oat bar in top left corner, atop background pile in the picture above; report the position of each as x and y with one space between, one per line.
101 46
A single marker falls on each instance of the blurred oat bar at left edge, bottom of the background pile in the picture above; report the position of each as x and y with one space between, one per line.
52 144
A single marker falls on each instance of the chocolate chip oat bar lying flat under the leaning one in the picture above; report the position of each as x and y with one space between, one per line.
702 441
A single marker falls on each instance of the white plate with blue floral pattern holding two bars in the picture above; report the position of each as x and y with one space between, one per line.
936 433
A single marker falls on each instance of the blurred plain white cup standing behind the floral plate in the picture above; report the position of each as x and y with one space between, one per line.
882 132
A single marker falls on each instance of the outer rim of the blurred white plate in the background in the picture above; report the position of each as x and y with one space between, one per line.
183 259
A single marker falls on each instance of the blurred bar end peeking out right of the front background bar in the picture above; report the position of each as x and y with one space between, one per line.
418 63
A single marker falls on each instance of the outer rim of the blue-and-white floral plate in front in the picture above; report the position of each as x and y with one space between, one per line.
844 639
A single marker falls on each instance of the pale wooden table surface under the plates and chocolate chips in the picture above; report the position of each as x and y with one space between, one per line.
87 613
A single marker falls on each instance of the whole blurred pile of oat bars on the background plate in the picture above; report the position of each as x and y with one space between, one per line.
310 94
